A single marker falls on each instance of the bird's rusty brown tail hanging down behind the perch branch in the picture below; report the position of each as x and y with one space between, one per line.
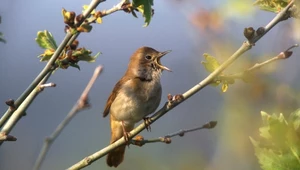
115 157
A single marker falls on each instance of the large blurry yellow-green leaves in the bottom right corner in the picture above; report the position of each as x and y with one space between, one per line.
278 146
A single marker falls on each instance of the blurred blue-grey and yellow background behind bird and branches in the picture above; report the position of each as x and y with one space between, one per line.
189 29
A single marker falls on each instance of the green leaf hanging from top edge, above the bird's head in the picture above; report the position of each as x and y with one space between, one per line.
144 7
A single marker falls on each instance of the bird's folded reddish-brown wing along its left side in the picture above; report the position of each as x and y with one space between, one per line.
113 95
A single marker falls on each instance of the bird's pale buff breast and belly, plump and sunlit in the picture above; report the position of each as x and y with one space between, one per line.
135 100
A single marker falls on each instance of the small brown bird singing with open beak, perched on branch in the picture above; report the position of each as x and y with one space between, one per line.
136 95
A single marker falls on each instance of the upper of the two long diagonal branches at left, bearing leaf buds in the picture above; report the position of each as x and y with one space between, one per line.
50 65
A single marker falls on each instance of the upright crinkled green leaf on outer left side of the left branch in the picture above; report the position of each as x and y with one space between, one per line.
45 40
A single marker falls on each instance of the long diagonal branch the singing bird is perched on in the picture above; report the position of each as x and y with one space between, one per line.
172 104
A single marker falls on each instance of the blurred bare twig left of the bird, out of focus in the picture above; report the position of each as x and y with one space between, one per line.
81 104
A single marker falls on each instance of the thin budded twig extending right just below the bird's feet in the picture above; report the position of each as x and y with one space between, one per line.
140 141
